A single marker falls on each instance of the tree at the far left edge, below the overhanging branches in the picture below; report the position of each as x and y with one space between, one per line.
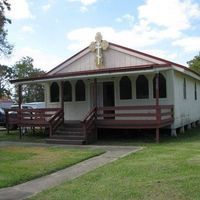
5 74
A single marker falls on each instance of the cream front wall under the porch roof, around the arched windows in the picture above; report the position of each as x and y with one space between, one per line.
77 110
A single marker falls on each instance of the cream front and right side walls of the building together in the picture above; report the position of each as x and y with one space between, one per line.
186 110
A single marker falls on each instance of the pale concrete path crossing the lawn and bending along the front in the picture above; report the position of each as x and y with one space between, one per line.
28 189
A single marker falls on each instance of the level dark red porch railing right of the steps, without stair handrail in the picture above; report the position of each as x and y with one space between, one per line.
135 116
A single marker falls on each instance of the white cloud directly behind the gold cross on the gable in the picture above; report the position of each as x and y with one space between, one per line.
82 37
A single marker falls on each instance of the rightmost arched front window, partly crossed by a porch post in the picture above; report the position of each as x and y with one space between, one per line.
162 86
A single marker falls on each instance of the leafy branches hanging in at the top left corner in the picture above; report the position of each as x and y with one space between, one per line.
5 47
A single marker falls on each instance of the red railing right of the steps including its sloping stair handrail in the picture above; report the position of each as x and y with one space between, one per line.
136 117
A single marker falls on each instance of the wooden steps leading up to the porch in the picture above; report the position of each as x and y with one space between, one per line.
69 133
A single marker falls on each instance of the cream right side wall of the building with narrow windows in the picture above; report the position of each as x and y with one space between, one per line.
186 110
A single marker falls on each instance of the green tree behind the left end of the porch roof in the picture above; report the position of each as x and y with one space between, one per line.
25 69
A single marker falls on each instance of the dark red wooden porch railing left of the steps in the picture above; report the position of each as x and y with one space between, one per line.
47 117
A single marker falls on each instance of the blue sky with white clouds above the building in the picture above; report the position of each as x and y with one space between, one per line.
50 31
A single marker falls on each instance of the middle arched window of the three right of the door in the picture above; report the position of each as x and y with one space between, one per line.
142 87
